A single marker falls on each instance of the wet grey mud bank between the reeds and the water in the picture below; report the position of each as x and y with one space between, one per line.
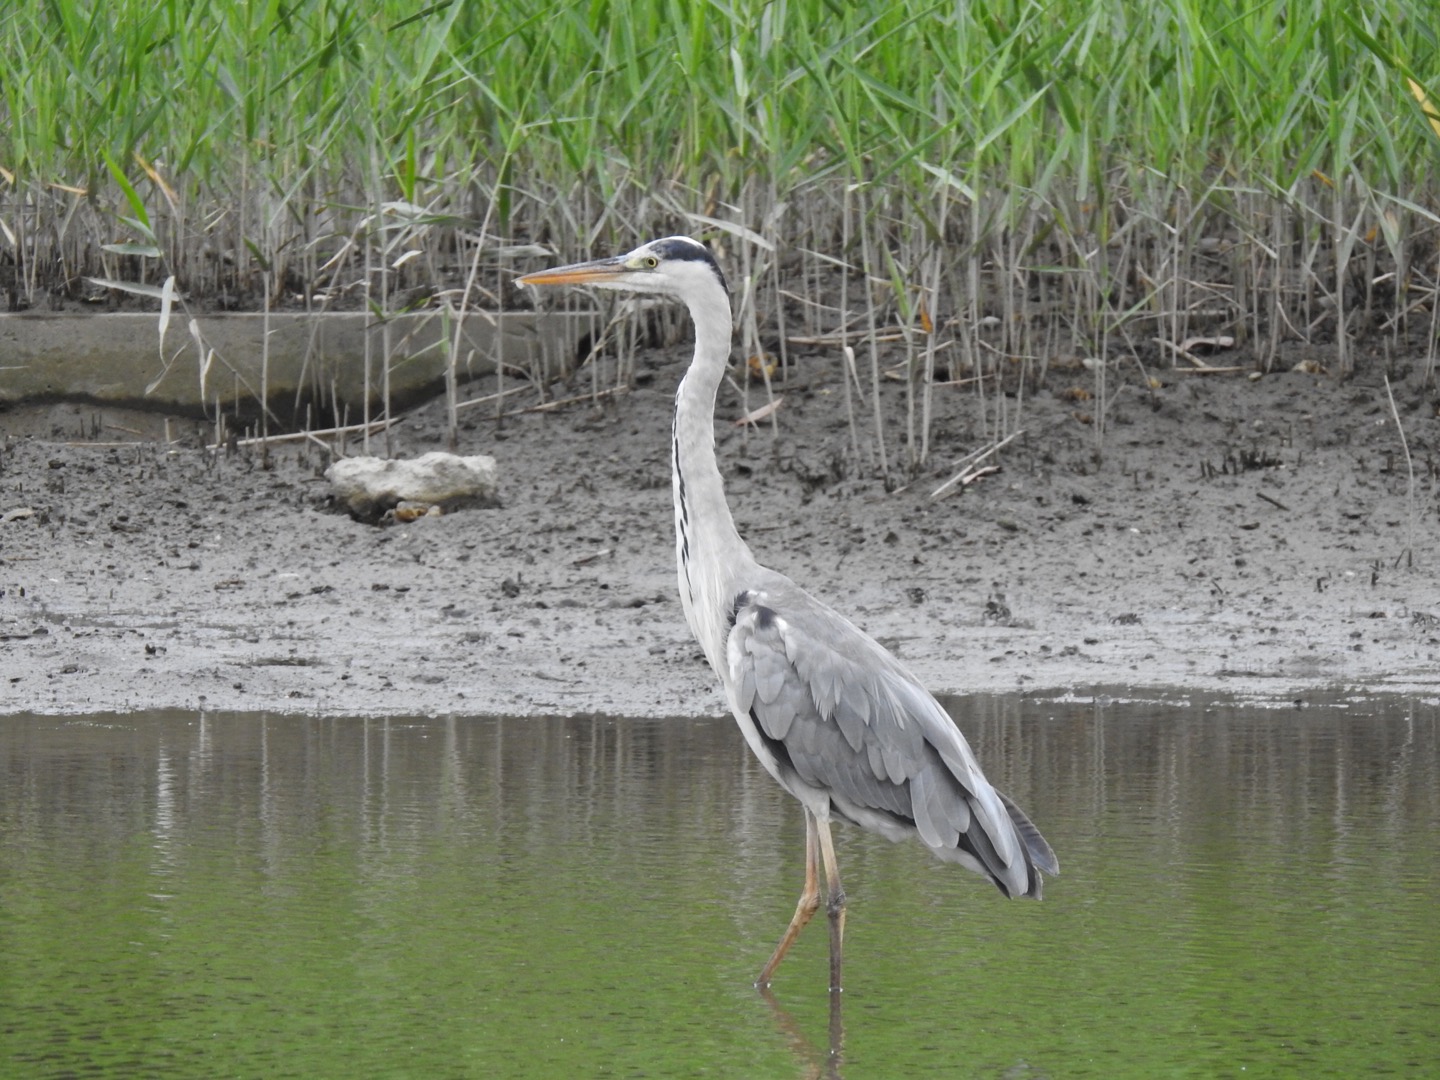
1228 536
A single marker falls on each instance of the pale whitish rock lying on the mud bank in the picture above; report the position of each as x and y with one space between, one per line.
372 486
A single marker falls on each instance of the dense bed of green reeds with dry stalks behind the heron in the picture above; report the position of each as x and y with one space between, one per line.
963 195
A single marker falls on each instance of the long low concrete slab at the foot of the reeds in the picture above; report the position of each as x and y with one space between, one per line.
222 361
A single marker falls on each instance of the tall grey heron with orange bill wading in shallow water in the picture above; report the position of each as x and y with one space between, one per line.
833 716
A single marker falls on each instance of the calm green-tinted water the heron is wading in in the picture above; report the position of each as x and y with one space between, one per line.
1245 894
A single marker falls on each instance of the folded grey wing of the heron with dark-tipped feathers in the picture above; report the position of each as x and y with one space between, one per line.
845 719
